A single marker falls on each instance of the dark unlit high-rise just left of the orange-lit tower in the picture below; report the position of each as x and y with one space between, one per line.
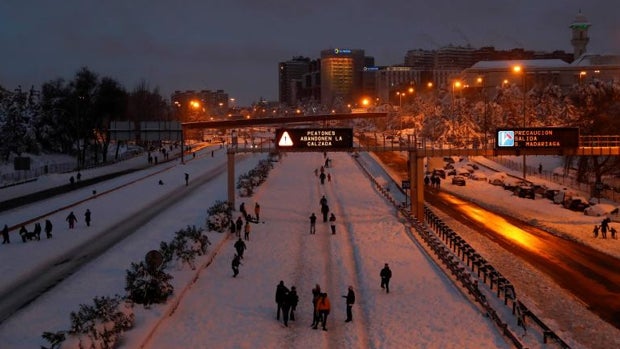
291 79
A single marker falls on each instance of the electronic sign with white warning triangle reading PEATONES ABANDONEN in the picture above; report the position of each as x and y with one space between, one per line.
314 138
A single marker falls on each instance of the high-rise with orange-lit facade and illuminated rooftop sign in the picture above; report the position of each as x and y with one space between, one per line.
341 75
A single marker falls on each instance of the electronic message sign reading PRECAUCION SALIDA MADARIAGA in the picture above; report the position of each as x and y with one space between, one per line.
537 137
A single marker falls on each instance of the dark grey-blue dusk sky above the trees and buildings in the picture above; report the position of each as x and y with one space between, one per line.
235 45
